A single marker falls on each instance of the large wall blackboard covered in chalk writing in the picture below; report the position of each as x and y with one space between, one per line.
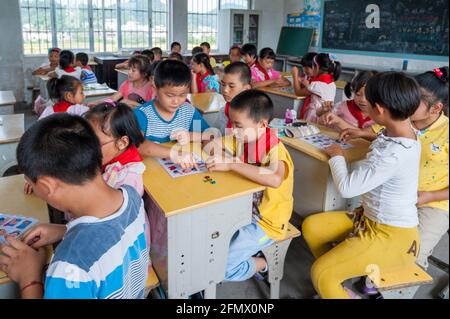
412 27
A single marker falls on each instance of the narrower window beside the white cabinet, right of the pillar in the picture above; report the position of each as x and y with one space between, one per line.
203 19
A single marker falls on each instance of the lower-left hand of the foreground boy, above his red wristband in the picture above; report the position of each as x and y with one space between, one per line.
22 263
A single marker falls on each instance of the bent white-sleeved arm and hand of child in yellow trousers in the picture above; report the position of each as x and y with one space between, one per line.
370 174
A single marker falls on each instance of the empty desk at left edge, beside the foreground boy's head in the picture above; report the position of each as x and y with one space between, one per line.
12 128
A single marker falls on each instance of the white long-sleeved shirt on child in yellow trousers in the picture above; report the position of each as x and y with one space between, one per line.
387 180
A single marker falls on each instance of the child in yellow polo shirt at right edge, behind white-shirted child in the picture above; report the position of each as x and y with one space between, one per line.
432 126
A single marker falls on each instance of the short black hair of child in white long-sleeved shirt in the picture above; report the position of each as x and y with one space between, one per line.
397 92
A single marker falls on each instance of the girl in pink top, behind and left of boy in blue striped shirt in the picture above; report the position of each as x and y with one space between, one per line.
137 90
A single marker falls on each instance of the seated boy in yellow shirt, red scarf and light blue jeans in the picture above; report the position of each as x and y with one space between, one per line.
262 158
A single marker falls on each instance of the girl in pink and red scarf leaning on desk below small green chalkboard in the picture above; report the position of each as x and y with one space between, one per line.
263 74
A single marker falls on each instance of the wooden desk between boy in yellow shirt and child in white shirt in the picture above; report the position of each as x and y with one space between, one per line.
314 189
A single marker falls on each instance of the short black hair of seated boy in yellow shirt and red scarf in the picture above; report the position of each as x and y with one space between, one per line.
257 104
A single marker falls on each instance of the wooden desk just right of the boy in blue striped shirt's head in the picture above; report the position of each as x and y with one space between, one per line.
209 105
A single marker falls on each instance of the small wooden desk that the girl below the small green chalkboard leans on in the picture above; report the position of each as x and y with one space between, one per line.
283 99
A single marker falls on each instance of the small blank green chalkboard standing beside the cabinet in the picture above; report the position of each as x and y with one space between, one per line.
294 41
